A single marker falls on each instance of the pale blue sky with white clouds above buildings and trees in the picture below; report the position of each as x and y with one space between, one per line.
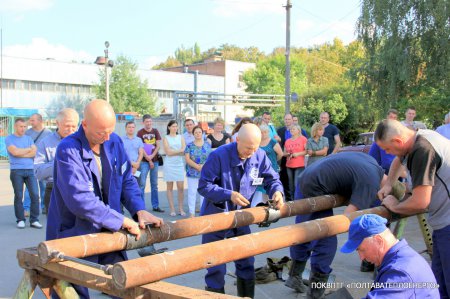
148 31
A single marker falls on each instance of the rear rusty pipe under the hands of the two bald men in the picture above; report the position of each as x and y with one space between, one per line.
92 244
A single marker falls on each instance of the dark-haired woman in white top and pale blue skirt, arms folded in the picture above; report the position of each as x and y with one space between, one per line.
174 168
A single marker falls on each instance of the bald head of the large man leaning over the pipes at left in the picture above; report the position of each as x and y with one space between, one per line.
99 121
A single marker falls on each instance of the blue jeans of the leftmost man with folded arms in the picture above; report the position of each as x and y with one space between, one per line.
18 178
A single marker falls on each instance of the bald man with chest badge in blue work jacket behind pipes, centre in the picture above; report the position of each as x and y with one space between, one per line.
228 181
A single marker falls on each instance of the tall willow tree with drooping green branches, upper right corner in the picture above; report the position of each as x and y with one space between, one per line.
408 50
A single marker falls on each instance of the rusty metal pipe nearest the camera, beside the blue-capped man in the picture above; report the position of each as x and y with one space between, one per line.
153 268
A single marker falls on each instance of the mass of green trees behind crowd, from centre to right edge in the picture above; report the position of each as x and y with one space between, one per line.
401 58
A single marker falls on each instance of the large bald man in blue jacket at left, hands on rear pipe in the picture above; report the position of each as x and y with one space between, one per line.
92 176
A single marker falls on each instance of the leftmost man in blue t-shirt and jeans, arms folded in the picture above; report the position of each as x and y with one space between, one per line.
21 151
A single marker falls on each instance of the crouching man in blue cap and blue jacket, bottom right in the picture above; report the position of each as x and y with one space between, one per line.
402 272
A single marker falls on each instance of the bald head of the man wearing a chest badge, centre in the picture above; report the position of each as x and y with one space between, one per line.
248 140
